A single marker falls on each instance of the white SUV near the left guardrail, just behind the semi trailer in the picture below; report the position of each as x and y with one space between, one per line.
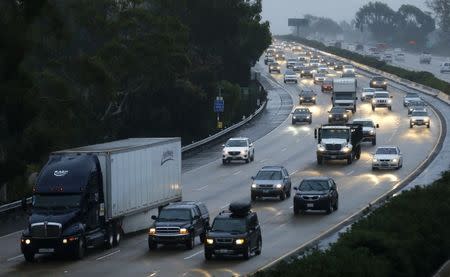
240 149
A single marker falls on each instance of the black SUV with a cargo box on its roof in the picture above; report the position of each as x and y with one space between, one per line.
234 232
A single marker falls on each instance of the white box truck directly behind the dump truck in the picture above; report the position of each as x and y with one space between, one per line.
344 93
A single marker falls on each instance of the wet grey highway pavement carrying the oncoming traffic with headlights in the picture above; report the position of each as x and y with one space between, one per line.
218 185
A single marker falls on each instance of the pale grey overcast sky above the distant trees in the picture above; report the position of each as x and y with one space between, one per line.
278 11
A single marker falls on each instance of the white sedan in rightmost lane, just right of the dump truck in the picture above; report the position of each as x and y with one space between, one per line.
387 157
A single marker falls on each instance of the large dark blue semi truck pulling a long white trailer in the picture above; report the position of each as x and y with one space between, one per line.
90 196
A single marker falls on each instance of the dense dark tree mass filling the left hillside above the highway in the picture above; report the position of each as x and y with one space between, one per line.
75 72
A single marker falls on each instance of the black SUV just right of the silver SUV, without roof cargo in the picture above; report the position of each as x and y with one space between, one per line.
316 193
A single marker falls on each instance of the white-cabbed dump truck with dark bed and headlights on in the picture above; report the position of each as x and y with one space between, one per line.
338 142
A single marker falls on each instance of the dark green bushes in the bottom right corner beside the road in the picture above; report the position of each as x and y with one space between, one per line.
408 236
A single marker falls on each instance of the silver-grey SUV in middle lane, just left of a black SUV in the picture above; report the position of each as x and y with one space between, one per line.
271 181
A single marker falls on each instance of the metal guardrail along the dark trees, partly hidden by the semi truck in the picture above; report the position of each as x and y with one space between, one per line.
18 204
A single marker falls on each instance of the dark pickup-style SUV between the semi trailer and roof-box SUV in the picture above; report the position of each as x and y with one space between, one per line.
179 223
